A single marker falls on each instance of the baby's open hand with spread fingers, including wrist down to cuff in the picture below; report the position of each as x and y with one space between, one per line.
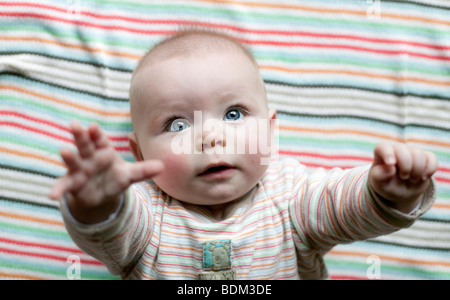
97 175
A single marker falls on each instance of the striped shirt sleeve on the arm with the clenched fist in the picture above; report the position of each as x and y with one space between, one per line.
338 207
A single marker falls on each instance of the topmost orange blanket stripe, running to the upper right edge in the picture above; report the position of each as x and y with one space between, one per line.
324 10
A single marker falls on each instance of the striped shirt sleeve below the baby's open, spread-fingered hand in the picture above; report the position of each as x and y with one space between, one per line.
119 241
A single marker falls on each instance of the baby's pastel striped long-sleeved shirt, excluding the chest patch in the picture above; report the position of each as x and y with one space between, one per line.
295 217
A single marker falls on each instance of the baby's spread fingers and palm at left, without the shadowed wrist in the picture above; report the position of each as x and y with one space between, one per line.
96 169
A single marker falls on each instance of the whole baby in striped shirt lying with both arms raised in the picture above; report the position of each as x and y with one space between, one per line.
200 202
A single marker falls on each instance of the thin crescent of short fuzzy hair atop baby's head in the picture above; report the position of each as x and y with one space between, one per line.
189 42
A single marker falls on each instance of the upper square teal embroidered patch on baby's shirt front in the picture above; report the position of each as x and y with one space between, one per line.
217 255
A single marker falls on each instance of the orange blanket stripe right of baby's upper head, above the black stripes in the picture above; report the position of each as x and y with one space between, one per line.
354 73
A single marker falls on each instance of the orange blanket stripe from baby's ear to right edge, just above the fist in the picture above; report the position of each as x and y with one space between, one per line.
366 133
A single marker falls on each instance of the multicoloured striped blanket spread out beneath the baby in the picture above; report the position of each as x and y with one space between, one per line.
343 76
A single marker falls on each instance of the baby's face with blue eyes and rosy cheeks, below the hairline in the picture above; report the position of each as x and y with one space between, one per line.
202 117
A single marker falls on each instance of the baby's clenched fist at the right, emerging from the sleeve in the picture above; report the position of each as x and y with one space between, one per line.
401 174
